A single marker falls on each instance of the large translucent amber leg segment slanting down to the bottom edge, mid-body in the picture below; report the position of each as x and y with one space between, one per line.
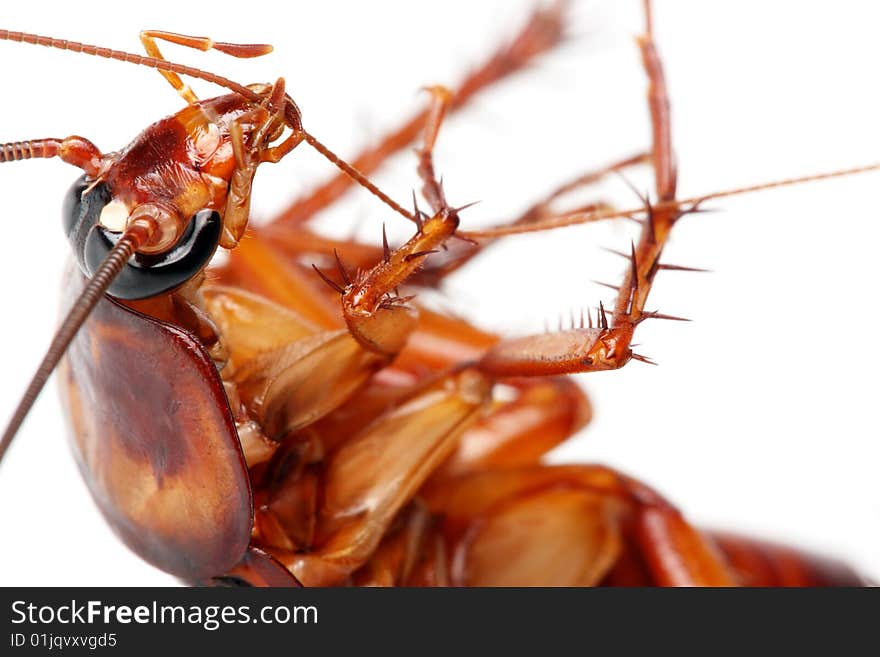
372 476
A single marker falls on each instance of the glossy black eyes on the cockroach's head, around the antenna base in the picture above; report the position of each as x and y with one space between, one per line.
145 275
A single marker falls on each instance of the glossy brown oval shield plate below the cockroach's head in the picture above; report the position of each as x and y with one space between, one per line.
155 441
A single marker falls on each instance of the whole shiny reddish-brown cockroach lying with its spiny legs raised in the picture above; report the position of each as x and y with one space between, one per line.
295 415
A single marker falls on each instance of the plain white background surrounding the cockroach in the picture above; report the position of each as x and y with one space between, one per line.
762 414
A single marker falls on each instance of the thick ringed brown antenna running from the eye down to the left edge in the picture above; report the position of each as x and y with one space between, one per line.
88 299
